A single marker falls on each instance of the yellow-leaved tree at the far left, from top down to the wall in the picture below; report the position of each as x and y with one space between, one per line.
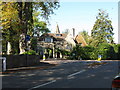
10 24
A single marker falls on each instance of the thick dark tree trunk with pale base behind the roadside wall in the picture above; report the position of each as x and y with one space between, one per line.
26 22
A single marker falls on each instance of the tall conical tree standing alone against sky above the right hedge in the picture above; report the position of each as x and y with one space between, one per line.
102 31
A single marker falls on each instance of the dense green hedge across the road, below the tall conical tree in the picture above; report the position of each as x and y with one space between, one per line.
91 53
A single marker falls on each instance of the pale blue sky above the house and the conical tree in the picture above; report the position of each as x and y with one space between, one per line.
82 15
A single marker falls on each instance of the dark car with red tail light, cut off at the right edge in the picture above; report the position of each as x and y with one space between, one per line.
116 83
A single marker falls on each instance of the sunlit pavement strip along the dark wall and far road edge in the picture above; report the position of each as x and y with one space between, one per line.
44 64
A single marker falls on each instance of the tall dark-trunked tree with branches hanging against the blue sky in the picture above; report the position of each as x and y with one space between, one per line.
45 8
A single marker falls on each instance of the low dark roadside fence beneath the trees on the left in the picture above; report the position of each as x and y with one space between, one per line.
14 61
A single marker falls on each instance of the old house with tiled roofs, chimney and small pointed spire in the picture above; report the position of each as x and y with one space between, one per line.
51 44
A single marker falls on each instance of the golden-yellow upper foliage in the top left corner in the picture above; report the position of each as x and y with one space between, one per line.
9 15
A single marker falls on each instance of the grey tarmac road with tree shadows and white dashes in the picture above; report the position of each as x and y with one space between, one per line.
67 75
